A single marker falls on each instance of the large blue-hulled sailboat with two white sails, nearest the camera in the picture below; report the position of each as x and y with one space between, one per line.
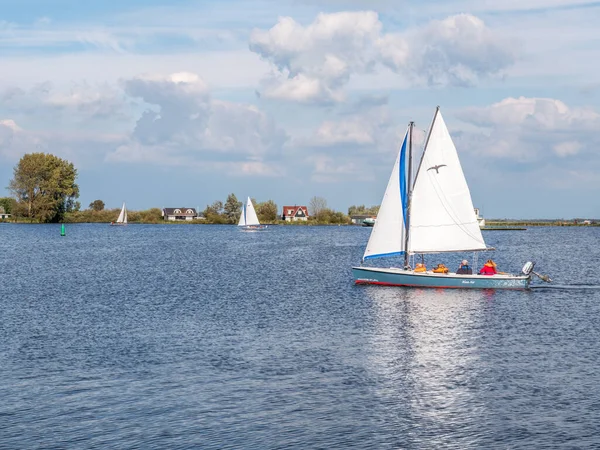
434 214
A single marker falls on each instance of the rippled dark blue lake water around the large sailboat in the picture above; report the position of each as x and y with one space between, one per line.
177 337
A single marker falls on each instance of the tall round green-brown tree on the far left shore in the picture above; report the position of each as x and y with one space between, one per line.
44 187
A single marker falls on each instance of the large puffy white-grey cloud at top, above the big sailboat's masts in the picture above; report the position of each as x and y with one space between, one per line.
314 63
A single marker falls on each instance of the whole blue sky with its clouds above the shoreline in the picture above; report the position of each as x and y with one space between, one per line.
182 102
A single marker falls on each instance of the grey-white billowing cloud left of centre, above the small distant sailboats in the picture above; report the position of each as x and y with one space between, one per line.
184 125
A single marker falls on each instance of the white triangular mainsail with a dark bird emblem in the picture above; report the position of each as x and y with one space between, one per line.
442 218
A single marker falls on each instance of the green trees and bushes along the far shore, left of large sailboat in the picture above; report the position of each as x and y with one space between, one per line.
44 190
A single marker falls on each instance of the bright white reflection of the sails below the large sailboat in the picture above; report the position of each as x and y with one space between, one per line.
426 353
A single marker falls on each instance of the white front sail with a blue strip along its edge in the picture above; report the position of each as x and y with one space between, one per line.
387 236
